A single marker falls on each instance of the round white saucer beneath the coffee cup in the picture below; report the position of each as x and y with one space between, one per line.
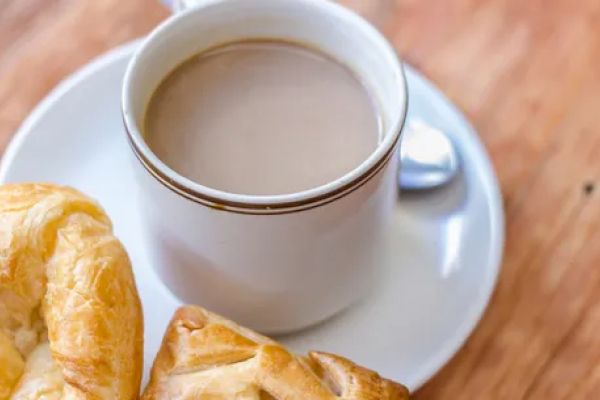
447 243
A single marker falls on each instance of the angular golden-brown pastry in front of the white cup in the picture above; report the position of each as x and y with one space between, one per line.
205 356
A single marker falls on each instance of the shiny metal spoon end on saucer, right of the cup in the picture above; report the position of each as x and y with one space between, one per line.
428 159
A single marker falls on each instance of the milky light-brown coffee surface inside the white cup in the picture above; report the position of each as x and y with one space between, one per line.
262 118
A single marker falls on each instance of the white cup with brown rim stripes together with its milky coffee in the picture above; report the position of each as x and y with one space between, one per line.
266 192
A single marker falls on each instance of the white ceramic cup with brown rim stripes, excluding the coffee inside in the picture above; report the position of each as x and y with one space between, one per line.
274 263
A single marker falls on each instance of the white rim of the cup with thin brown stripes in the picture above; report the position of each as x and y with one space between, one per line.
265 204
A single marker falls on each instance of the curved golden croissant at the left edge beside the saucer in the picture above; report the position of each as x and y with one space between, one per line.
70 315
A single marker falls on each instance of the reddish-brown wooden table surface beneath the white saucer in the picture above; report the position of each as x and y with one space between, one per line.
528 76
